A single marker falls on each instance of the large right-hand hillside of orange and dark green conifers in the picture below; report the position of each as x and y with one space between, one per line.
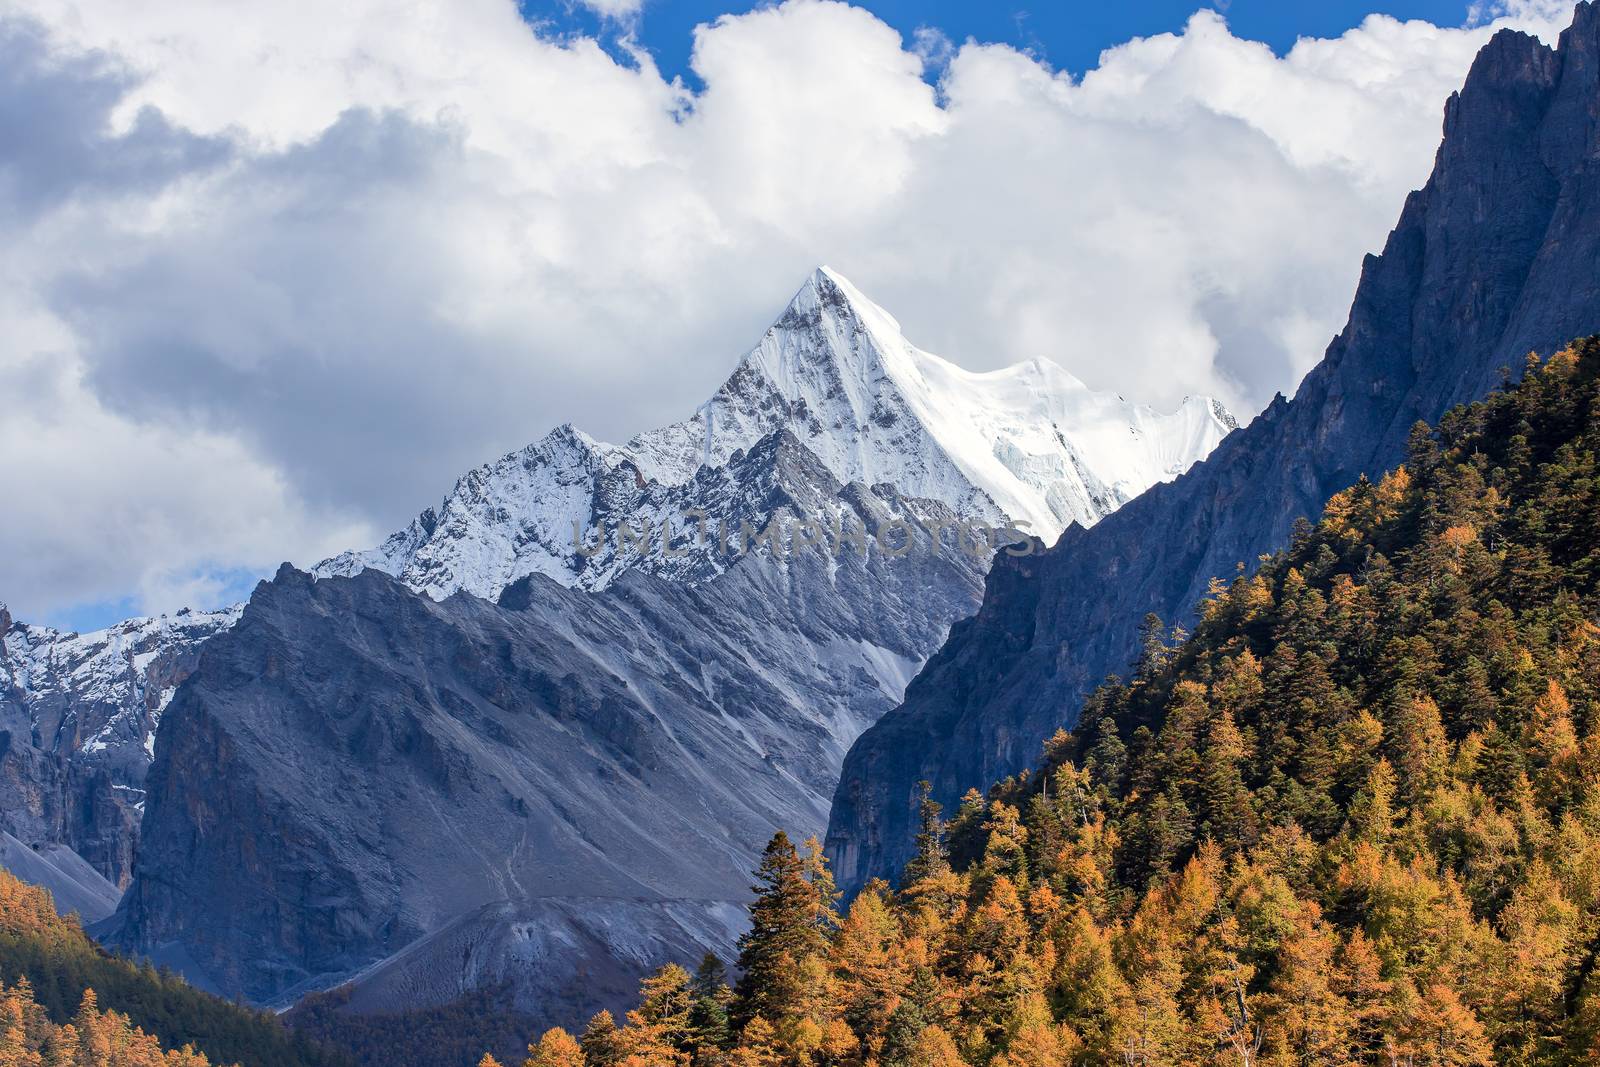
1354 818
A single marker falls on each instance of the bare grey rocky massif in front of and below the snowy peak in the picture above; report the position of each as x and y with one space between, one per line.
559 791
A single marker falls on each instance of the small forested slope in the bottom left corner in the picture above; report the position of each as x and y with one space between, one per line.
68 1004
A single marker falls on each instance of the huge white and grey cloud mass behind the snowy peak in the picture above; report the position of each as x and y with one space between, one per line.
278 273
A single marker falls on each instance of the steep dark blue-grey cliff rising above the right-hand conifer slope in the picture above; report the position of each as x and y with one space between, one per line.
1497 257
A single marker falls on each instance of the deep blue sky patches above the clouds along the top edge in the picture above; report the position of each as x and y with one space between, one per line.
1068 34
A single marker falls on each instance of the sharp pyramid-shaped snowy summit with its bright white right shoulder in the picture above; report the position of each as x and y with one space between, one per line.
1031 439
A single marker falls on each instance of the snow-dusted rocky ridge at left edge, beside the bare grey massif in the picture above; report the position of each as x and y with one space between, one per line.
78 727
